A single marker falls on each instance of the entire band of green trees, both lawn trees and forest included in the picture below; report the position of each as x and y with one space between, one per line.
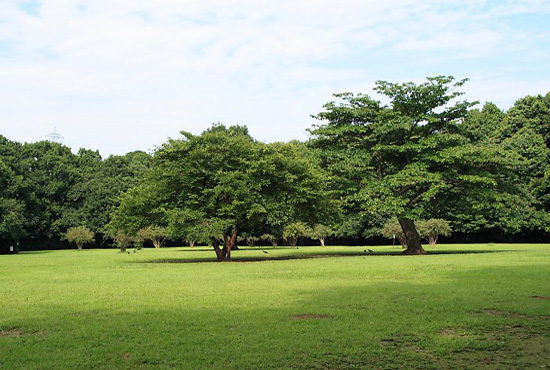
422 153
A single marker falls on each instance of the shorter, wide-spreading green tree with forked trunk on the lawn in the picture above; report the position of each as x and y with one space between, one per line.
224 182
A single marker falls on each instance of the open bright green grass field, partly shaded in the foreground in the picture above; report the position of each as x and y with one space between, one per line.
483 306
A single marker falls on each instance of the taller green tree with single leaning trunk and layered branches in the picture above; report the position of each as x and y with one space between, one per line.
405 156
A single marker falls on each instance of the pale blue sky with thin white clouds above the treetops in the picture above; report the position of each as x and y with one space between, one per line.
124 75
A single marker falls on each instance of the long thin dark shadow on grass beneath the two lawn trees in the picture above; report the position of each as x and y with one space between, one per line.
286 257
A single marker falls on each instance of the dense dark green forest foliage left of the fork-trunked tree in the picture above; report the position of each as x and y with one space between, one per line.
45 190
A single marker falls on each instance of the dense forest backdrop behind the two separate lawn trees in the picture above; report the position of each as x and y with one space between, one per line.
46 189
